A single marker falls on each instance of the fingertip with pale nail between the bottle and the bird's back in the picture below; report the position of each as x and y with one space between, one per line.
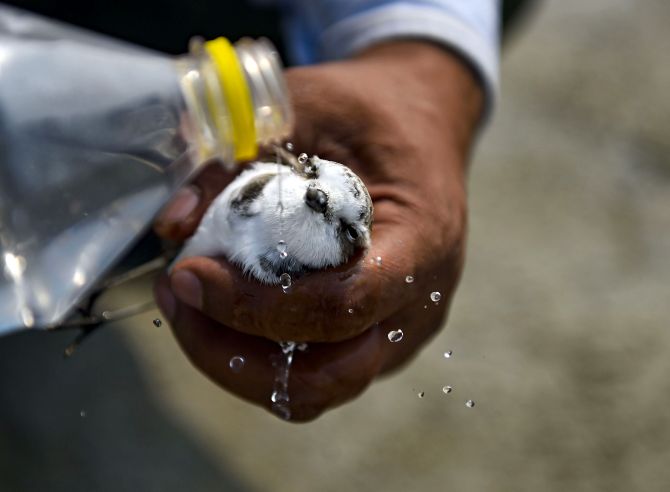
181 216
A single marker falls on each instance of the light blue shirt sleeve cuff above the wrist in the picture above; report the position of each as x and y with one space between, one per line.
319 30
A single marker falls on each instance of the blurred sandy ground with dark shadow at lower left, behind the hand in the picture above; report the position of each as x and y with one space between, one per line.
559 330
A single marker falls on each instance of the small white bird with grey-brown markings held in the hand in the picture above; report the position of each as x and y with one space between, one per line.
300 215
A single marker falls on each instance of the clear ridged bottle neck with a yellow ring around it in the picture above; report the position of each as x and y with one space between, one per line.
236 98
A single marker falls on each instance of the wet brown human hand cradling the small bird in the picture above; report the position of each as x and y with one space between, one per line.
402 115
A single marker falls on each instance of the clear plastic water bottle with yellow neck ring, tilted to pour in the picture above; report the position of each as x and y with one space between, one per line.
95 137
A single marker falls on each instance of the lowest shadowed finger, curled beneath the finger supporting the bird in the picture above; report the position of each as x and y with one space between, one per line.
324 376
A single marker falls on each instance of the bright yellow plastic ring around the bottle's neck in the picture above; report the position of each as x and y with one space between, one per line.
236 94
